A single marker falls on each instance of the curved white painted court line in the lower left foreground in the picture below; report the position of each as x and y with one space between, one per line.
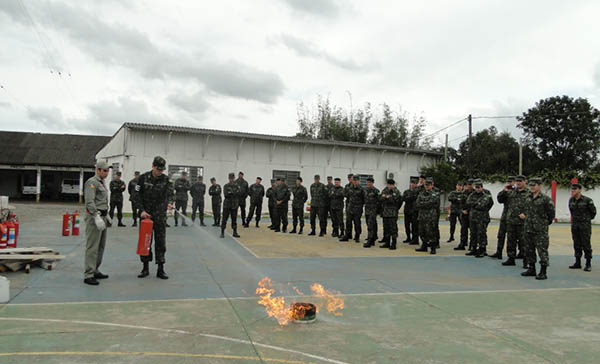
175 331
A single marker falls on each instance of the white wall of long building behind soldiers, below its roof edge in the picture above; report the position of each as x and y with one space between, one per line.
219 155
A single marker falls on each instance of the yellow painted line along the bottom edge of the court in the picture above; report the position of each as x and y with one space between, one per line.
141 353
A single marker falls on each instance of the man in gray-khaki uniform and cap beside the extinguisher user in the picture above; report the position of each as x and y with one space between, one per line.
96 219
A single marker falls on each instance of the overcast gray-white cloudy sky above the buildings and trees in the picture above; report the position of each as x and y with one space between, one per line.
87 66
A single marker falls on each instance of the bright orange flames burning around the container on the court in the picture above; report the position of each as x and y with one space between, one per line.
276 306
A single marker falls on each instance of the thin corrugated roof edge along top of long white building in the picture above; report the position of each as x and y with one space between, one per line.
182 129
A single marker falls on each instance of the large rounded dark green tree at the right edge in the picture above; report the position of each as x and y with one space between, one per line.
563 132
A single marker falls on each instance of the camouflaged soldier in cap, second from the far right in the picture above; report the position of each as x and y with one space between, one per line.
539 214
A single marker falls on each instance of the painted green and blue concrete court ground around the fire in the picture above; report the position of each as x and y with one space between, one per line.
399 306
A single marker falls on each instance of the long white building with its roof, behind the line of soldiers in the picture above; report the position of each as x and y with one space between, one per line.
215 153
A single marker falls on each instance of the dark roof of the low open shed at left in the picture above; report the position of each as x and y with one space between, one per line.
20 148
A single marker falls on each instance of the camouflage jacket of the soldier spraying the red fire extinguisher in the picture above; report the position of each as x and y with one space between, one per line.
156 193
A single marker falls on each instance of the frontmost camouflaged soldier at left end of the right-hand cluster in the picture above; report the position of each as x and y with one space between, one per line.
478 205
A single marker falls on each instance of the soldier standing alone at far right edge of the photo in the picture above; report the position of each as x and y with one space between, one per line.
583 212
